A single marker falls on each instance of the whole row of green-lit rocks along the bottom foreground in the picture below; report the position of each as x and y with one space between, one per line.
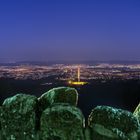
54 116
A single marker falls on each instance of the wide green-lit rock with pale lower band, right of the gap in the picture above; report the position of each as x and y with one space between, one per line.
107 123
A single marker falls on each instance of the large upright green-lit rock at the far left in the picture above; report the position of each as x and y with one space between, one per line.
18 117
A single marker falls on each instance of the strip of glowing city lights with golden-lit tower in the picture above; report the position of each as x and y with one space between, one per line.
72 74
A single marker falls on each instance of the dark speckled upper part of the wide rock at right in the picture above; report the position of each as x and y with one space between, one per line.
112 117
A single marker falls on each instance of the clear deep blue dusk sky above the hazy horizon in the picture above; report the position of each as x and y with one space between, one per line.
69 30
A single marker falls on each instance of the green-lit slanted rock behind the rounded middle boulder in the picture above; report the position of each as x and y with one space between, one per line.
58 95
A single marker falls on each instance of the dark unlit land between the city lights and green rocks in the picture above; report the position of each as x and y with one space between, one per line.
115 93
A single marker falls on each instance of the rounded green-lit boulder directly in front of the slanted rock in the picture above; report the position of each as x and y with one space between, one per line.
62 122
